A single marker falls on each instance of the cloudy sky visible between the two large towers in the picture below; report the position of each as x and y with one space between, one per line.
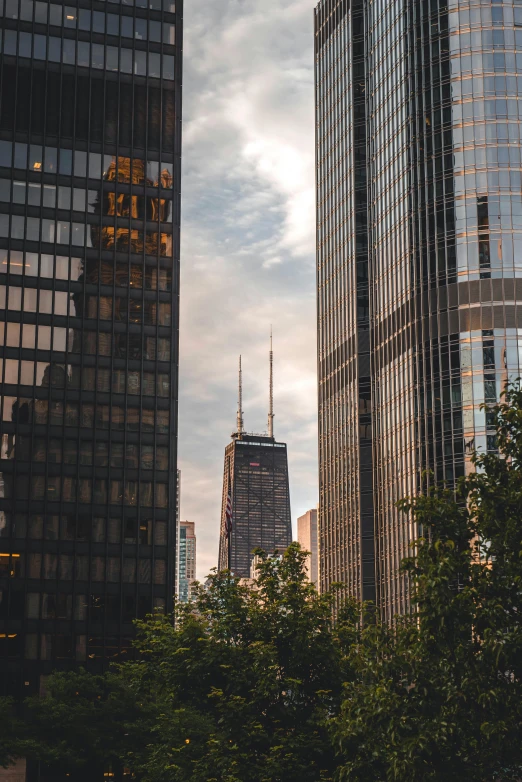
247 254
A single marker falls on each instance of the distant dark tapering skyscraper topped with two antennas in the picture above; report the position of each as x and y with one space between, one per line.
256 479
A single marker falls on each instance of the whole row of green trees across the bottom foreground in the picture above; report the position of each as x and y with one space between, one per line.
260 685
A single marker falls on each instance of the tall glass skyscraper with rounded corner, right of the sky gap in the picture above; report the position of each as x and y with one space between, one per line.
419 249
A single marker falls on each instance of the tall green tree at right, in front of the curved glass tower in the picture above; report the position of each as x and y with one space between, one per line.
438 696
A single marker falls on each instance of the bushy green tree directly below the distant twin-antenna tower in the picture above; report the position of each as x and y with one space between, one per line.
247 680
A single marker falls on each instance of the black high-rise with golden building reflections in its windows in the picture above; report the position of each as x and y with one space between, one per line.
90 124
